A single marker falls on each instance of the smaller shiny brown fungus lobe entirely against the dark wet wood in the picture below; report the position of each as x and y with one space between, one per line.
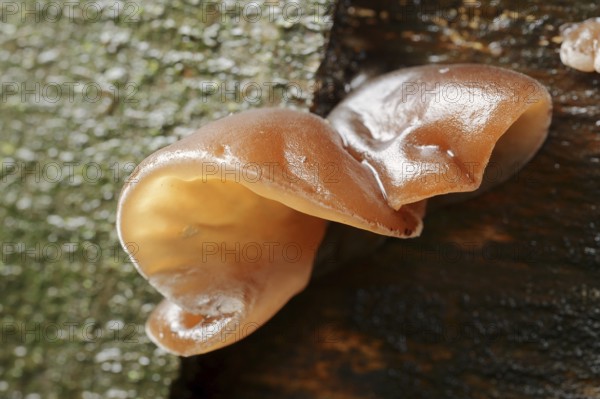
433 130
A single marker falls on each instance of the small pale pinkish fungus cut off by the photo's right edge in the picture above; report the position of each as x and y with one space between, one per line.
580 48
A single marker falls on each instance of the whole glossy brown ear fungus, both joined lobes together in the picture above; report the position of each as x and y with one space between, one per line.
226 222
